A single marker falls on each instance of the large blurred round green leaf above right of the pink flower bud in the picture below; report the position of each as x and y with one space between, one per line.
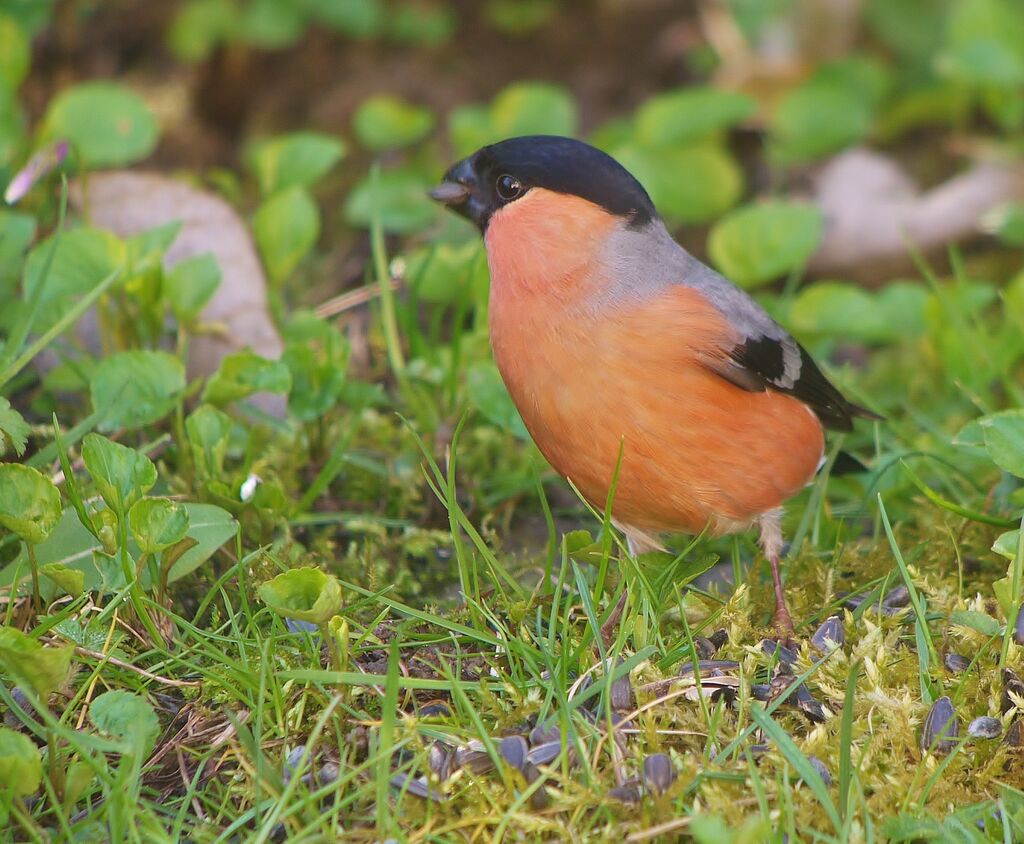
107 123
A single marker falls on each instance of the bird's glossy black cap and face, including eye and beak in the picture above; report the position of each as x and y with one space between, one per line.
500 174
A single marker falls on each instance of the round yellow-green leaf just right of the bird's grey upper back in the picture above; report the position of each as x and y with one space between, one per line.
761 242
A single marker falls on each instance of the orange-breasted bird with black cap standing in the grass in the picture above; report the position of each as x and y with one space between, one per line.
625 353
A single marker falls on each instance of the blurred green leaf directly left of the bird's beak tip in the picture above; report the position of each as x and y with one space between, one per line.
399 196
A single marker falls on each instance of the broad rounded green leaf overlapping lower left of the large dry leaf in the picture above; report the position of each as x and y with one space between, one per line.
135 389
